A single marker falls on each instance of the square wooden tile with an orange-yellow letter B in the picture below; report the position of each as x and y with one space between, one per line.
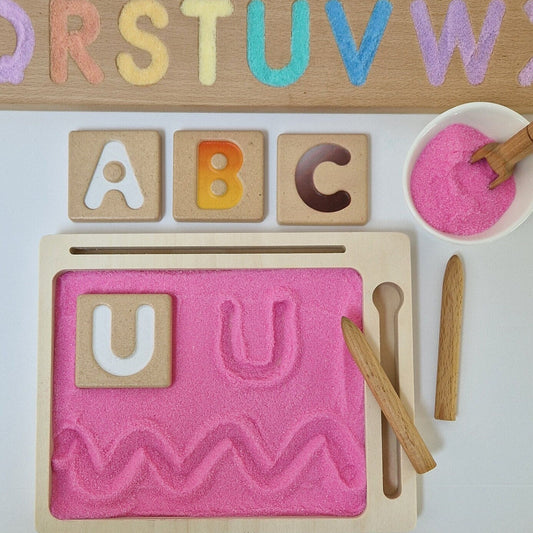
219 176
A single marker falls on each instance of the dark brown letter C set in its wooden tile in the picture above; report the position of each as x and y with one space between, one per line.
325 203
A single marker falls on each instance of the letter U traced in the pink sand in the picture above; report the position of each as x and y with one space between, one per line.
281 340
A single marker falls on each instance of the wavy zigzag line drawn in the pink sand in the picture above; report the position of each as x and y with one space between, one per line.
145 451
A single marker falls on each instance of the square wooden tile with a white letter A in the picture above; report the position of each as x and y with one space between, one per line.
114 176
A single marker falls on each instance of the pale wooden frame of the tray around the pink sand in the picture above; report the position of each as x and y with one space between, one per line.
381 259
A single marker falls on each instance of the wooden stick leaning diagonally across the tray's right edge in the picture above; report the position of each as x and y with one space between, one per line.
388 400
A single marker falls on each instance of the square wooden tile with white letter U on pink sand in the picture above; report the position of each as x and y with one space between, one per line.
124 341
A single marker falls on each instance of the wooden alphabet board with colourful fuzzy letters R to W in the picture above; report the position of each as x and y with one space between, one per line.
369 55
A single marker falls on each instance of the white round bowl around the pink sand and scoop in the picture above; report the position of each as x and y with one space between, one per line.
500 123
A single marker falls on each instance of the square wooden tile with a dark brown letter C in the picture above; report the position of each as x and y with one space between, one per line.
322 179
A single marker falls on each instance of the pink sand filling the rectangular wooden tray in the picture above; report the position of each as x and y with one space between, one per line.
265 415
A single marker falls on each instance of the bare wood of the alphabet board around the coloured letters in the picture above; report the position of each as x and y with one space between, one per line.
396 81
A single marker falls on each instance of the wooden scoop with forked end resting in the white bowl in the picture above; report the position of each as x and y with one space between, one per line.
502 157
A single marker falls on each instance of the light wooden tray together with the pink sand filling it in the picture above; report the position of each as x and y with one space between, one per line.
107 457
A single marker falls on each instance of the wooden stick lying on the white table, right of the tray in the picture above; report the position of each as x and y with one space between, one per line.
451 319
